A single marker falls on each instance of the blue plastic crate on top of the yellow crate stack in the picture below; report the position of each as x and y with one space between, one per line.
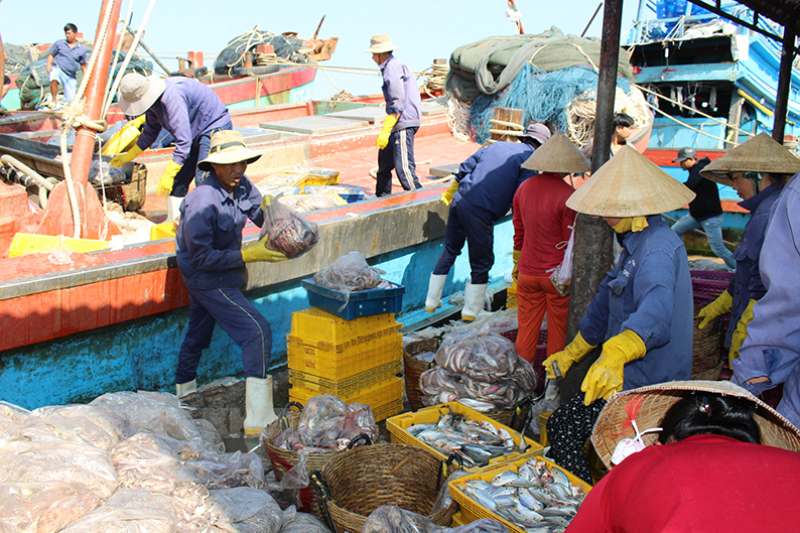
361 303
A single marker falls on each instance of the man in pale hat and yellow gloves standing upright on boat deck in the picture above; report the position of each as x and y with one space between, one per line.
395 142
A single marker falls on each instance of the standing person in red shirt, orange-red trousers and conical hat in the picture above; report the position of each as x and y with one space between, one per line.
542 228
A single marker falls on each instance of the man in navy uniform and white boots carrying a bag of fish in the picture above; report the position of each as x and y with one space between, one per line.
212 263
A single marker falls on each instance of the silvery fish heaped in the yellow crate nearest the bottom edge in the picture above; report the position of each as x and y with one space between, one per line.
536 498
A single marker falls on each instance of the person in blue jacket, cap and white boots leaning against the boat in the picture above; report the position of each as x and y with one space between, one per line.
481 194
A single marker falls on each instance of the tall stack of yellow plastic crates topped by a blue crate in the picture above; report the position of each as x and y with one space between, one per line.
356 360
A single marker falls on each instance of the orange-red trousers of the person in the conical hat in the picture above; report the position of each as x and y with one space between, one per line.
536 295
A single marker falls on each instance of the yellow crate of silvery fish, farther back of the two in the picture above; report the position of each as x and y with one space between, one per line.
453 429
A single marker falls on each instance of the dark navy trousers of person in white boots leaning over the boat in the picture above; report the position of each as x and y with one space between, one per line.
465 224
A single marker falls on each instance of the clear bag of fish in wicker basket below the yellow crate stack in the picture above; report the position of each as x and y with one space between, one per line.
328 424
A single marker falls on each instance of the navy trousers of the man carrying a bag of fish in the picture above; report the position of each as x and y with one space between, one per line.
238 317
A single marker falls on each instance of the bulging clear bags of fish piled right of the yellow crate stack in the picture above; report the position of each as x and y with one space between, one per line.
479 369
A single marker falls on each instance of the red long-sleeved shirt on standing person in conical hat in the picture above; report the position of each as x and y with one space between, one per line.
541 223
